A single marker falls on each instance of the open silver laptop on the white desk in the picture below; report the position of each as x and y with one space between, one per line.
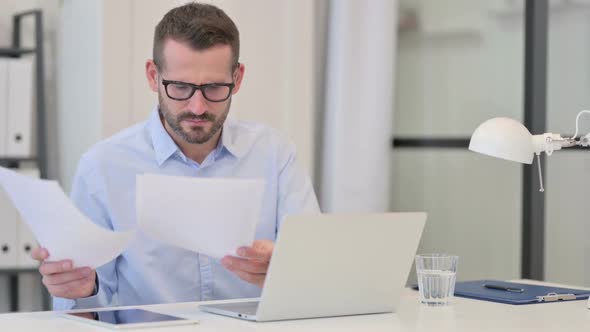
334 265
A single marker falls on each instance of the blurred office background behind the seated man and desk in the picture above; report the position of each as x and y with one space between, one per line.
380 96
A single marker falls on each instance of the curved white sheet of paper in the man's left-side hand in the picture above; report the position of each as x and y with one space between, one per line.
58 225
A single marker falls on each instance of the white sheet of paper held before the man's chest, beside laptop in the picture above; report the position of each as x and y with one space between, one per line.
210 216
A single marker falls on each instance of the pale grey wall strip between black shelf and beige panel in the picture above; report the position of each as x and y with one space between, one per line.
80 84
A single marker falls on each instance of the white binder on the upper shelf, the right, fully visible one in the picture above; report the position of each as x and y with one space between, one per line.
19 134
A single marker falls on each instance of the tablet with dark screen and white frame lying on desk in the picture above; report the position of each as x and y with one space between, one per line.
128 318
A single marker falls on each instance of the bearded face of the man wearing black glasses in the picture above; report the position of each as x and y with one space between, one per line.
195 120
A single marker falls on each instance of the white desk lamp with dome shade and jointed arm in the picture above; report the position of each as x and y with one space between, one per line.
508 139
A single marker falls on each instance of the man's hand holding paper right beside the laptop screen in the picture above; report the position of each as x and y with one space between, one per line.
252 263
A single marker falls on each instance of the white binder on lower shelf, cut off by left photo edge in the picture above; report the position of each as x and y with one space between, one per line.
8 230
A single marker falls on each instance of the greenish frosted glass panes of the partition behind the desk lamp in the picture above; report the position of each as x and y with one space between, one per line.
463 65
